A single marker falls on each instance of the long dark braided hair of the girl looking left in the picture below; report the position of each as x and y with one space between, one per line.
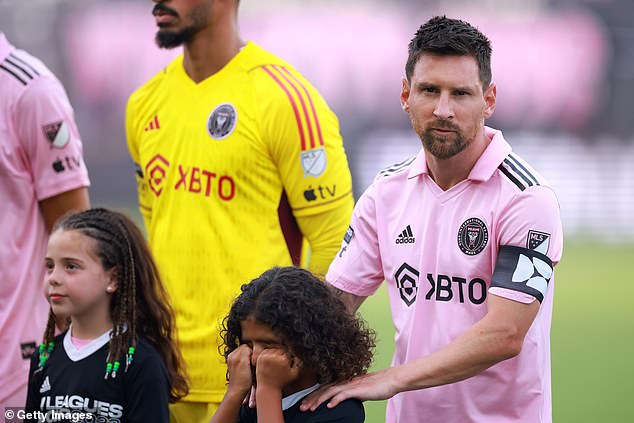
140 305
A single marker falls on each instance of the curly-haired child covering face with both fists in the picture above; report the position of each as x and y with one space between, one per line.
285 335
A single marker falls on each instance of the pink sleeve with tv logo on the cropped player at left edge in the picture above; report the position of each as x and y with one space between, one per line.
45 125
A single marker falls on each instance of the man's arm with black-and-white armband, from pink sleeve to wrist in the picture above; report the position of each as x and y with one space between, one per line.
529 239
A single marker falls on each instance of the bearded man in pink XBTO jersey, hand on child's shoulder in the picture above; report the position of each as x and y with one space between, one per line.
465 235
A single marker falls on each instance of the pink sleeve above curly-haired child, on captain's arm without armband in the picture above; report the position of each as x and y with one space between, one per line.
357 266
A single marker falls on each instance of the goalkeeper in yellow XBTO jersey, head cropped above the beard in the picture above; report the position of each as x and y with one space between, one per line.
238 159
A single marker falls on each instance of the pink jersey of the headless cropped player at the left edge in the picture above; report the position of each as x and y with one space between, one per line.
40 157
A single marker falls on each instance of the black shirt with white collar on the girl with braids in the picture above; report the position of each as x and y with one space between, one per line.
72 381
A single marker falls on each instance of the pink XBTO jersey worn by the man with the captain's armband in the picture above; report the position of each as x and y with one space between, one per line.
442 253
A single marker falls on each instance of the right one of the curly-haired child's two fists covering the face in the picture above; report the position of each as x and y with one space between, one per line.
276 368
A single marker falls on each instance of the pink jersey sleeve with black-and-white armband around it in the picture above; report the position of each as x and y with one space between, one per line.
530 245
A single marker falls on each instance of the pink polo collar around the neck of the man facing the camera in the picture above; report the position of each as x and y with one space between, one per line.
486 165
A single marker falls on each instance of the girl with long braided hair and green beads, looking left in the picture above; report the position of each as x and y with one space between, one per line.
118 360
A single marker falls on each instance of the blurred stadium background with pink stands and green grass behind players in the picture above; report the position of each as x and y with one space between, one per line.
565 75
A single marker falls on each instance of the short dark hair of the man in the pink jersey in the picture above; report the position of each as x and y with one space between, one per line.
450 37
